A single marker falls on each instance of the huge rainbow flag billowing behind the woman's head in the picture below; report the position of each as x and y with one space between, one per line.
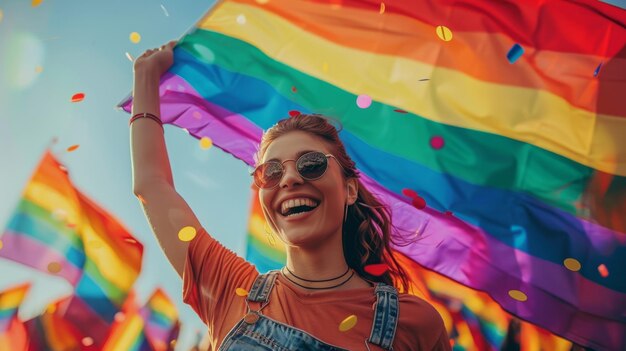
507 118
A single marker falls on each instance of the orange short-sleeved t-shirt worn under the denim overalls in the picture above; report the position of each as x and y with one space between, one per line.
213 272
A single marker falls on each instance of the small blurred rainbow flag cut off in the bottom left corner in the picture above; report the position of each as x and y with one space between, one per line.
12 331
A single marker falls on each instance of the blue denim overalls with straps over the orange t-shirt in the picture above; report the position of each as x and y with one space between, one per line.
260 333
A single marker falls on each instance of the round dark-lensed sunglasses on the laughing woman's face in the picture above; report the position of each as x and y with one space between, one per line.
310 166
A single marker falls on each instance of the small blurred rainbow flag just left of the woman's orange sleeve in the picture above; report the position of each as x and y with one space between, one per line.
161 320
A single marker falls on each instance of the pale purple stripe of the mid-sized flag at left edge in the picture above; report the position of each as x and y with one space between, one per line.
24 249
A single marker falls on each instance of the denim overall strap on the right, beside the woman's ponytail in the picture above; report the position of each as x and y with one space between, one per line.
385 316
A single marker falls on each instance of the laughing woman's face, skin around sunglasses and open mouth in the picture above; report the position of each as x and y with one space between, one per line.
329 192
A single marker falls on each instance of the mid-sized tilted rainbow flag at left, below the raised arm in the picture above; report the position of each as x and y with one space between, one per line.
59 230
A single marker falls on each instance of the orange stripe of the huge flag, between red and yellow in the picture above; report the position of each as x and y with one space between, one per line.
406 37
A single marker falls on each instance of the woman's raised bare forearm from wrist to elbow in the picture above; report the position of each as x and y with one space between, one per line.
148 151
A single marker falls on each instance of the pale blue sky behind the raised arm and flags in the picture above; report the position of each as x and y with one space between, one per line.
80 46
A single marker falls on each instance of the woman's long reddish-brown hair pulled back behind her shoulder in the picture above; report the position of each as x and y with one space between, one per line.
367 229
